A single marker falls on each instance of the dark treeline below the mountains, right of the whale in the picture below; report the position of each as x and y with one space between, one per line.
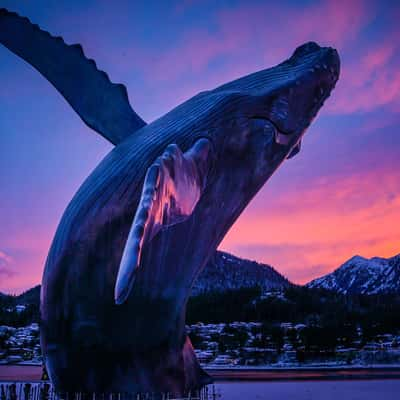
319 309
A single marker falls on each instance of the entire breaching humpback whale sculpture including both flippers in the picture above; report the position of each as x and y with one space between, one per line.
144 223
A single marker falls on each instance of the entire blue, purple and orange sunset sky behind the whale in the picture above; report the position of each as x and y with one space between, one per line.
340 196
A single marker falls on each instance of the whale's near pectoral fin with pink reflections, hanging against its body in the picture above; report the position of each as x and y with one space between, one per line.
172 187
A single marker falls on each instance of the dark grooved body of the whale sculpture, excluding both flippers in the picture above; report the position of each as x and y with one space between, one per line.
253 124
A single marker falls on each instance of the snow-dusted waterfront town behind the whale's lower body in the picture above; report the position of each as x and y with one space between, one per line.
240 344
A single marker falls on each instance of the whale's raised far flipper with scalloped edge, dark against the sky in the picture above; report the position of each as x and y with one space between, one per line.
102 105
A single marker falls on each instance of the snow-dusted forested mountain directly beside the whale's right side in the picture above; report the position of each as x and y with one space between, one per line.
225 271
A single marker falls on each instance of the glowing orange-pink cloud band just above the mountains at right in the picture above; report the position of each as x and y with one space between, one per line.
322 224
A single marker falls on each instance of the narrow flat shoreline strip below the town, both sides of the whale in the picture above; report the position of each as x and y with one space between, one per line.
32 373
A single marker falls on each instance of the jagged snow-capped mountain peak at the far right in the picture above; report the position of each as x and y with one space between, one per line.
365 276
